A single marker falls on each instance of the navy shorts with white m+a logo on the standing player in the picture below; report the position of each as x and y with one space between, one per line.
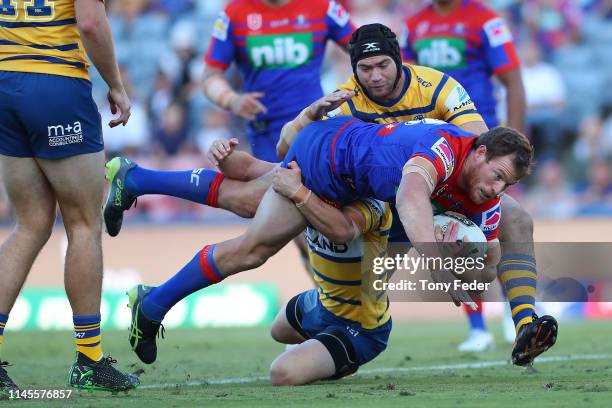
47 116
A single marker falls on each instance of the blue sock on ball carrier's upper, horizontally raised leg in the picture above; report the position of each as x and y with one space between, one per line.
197 185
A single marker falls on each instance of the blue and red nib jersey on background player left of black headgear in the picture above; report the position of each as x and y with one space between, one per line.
278 50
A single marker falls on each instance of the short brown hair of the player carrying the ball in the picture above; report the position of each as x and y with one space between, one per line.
502 141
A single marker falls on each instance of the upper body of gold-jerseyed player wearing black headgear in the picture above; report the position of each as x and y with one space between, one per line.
383 90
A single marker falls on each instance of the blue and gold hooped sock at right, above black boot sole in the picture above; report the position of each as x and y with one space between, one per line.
519 277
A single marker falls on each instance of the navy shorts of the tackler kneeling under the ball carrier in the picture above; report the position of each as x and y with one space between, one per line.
311 319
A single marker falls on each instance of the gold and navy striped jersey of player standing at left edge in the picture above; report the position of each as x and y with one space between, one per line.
41 36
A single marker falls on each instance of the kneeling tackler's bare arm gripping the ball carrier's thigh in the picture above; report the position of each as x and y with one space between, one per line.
338 225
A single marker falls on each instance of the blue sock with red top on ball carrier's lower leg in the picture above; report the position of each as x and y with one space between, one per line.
199 273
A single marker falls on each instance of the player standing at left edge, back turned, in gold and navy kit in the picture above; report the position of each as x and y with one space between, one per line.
52 152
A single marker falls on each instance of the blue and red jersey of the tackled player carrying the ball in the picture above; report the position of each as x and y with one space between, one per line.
343 159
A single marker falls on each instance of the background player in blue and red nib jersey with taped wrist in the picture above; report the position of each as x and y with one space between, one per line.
278 47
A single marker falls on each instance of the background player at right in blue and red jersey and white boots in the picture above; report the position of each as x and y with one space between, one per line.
468 41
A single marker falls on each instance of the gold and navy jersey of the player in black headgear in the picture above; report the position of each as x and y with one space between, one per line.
427 93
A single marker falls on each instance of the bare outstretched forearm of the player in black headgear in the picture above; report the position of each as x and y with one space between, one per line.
310 114
